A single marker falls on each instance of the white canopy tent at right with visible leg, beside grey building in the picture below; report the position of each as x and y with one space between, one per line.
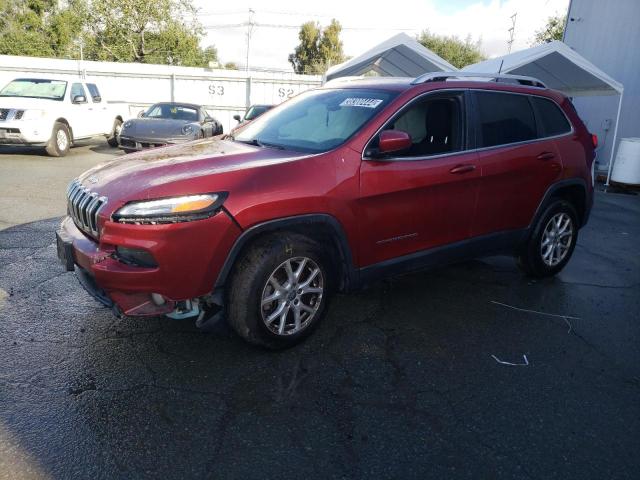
560 68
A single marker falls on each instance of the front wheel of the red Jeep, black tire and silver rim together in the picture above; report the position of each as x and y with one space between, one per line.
250 283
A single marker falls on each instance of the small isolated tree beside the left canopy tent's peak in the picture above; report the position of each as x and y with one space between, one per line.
318 48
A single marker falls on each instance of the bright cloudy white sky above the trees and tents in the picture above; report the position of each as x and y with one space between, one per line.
366 24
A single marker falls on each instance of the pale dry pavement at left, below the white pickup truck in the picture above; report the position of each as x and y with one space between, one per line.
32 184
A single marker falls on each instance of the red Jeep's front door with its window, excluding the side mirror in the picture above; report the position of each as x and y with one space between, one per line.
424 197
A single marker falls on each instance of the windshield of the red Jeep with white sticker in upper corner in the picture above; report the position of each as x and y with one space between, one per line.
317 120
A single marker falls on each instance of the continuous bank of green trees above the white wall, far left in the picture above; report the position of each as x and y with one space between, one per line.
145 31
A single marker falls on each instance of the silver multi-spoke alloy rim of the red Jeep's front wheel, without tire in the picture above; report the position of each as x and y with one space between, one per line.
292 296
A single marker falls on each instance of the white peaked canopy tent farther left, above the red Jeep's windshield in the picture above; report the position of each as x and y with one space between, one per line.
399 56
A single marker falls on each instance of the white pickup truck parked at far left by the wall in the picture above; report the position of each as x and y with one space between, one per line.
54 113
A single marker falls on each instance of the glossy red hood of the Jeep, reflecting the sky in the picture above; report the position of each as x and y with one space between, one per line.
188 168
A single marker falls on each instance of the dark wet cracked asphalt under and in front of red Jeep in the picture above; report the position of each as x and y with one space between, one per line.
398 381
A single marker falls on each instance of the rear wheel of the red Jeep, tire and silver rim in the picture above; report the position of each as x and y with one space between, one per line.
538 260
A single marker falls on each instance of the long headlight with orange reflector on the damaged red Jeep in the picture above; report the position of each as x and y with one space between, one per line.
171 210
